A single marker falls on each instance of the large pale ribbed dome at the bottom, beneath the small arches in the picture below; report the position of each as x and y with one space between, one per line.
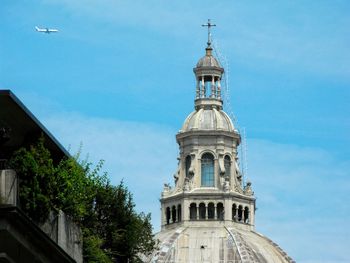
217 244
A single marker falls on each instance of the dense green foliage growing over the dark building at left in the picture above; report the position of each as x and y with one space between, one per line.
112 230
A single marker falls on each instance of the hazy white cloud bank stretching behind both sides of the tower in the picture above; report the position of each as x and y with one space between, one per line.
302 192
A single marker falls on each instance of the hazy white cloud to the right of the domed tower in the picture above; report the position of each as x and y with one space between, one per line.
302 200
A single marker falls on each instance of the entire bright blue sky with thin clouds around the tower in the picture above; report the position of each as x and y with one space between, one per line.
118 78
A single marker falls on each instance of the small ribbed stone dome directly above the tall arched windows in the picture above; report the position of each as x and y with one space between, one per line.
208 120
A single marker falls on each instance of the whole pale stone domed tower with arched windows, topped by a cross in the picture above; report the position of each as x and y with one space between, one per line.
209 215
